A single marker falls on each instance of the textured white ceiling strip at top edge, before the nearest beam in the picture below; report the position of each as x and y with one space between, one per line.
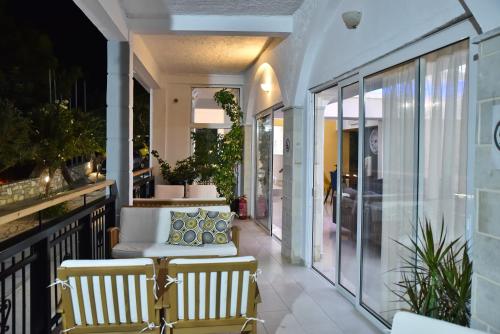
163 8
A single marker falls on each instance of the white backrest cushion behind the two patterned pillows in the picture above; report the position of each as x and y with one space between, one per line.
152 225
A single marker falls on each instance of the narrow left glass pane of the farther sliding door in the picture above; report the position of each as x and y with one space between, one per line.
263 183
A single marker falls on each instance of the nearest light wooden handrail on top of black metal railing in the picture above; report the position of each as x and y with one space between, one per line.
18 210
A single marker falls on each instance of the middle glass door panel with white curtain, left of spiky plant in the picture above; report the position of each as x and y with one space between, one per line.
390 173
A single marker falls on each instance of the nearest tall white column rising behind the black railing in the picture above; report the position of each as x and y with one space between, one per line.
119 121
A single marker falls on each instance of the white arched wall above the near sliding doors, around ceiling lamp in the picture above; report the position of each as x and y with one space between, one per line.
321 48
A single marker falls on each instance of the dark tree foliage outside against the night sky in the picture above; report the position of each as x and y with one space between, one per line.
33 129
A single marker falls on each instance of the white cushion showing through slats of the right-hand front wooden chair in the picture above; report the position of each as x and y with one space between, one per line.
224 279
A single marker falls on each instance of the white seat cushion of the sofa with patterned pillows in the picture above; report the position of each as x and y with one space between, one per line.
141 249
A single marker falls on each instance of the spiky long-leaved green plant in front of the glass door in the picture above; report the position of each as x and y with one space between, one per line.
436 280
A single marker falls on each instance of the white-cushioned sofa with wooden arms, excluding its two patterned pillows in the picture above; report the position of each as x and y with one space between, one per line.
144 232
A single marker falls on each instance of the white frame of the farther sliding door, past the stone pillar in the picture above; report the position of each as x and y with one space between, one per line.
267 112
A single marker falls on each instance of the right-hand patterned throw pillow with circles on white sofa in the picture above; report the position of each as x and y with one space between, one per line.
217 227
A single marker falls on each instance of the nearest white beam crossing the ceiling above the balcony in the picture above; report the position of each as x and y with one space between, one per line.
251 25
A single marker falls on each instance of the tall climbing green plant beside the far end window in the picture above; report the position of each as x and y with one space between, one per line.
230 146
